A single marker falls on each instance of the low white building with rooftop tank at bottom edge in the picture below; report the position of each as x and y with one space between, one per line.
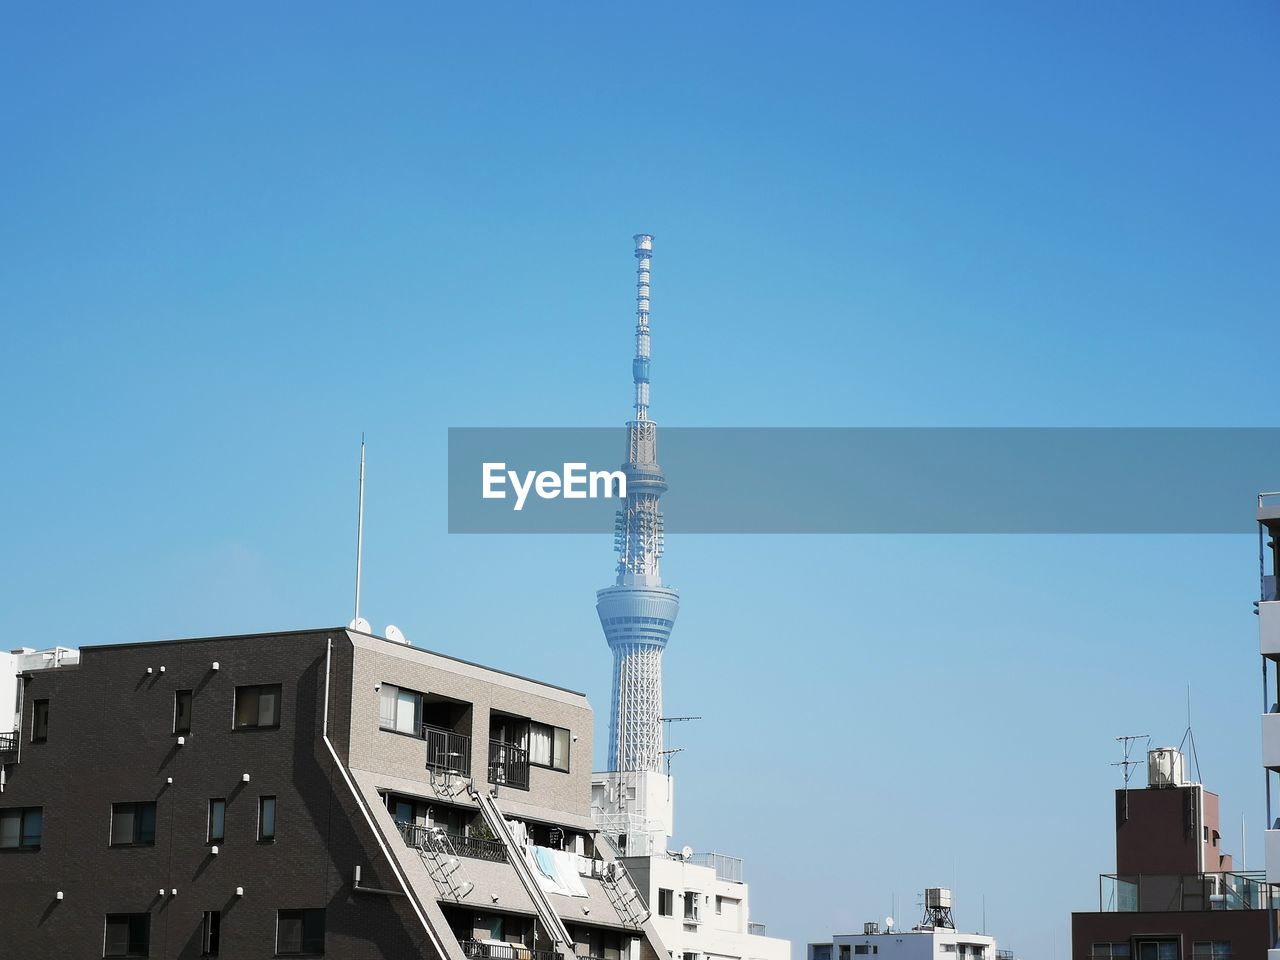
934 939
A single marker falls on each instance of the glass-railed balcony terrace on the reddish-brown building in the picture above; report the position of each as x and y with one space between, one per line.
1187 893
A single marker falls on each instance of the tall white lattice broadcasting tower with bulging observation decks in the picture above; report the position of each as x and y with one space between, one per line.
639 612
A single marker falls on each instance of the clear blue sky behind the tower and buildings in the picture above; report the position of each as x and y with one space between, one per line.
236 236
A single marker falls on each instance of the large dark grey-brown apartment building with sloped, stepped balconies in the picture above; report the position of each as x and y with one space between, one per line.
319 793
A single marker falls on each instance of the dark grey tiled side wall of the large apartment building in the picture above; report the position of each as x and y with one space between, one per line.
111 739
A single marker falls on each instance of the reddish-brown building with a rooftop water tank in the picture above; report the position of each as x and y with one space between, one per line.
1174 895
